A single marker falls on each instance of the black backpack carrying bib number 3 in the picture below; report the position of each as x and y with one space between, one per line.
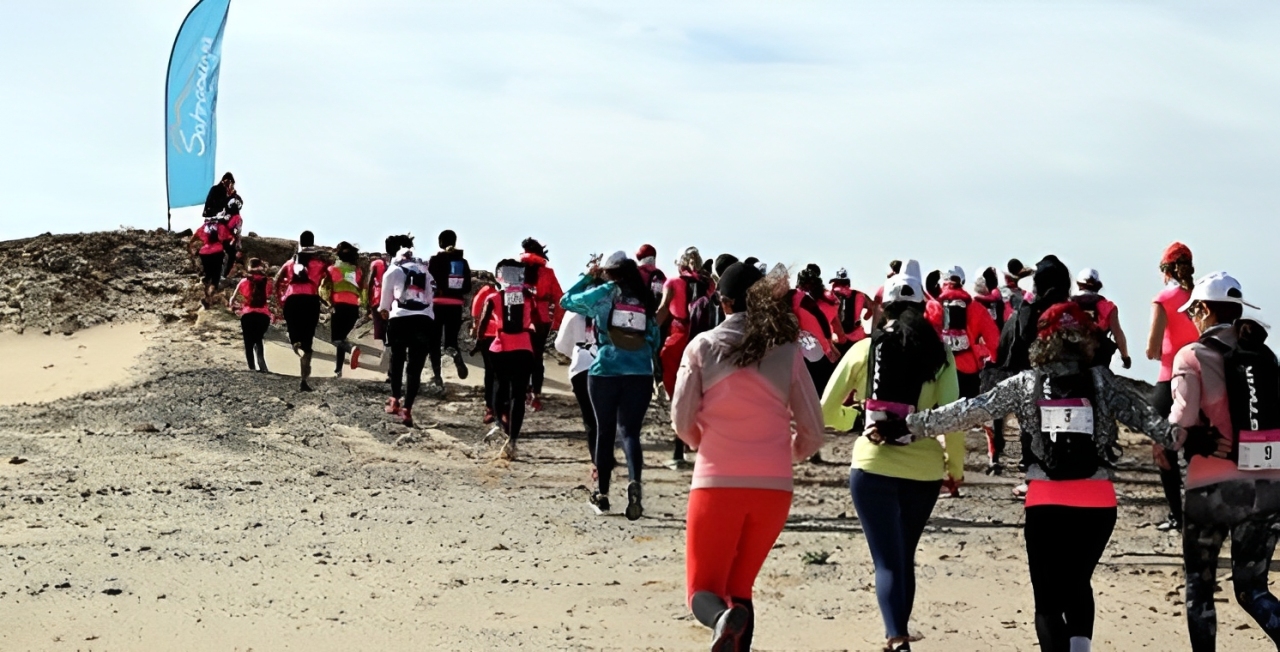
1068 423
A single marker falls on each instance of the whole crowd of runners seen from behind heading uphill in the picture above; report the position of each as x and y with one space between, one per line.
757 368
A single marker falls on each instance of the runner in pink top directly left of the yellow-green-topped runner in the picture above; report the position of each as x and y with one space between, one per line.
298 288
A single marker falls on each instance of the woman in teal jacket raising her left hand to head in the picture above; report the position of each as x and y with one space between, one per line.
615 298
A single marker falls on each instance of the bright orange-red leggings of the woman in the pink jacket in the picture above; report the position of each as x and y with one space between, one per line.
729 535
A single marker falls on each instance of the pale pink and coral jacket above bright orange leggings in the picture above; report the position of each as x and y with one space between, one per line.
740 420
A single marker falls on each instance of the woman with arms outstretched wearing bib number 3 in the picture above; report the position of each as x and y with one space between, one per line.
1071 409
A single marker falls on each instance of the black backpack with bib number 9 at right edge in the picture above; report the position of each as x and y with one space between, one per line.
1252 395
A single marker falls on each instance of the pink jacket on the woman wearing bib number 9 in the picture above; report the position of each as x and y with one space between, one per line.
1200 386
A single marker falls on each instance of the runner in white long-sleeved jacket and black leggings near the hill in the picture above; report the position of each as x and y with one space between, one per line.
406 306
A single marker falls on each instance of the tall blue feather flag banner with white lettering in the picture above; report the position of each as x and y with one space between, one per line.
191 103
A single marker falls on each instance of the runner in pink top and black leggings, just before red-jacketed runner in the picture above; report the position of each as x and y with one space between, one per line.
513 349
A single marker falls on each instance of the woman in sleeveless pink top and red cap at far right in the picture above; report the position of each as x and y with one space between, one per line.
1171 332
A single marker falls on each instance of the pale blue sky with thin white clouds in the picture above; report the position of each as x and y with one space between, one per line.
840 134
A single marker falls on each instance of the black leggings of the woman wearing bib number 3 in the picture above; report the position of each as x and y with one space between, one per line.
1064 546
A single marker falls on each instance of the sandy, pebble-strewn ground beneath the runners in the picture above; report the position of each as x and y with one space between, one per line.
190 504
